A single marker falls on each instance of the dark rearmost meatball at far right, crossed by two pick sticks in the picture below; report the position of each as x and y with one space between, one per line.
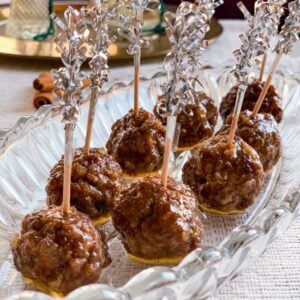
271 104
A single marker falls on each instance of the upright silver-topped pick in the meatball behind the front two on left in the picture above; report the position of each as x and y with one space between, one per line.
131 14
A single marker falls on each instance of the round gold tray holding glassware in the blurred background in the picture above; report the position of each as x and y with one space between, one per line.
158 44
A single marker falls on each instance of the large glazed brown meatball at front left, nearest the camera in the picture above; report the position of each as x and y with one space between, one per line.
61 251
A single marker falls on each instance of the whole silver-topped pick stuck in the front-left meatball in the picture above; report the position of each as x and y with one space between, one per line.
68 81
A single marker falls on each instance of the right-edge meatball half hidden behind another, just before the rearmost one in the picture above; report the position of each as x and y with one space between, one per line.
261 133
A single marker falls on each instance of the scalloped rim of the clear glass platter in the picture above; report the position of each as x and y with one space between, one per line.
273 220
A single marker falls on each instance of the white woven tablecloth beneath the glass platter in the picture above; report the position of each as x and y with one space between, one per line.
274 276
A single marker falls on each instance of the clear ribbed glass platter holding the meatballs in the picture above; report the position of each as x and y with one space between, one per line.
34 145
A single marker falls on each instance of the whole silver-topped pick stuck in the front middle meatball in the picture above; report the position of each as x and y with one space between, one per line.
186 33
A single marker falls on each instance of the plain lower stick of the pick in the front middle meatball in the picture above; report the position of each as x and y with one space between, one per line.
171 125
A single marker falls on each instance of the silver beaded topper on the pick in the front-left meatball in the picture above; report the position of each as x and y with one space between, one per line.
71 44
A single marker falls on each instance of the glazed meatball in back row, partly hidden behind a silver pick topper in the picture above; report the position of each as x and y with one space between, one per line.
197 121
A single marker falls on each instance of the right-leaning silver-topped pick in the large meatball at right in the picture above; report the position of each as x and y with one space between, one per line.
254 44
